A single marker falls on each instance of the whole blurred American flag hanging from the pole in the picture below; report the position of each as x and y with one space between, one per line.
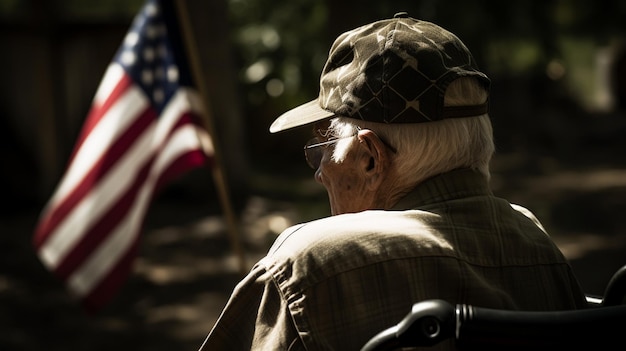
142 130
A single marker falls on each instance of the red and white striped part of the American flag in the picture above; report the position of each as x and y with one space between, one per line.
89 230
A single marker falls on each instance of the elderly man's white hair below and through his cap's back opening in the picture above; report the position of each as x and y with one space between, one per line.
427 149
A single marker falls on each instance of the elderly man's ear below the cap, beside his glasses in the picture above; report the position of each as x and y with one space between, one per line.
373 159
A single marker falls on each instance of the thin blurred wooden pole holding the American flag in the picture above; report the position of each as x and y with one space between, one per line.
218 172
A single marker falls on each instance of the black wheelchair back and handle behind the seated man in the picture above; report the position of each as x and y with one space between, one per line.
601 326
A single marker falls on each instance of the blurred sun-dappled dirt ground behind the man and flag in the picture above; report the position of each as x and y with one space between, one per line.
186 268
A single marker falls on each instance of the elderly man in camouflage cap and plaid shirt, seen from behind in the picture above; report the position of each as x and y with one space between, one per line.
402 143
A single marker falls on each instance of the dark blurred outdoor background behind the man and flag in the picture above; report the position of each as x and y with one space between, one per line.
558 103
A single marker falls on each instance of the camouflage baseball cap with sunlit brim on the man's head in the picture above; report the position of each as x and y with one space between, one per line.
391 71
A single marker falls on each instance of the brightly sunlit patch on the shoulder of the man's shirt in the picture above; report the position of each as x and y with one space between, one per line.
360 239
